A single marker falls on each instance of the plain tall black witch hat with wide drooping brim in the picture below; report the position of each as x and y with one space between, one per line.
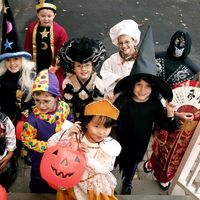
145 66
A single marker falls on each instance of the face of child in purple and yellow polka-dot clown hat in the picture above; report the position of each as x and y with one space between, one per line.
45 102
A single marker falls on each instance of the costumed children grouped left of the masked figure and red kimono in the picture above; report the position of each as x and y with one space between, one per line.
114 116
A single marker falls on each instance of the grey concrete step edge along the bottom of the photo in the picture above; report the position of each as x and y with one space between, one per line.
29 196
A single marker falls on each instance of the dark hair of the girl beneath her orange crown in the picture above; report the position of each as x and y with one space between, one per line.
107 121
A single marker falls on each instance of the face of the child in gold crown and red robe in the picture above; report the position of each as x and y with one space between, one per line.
46 17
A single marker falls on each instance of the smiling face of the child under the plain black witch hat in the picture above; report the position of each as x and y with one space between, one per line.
141 91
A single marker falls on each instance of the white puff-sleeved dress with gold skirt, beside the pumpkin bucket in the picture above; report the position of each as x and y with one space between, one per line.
97 181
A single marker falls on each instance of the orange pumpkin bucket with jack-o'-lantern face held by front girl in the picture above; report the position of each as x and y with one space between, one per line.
61 166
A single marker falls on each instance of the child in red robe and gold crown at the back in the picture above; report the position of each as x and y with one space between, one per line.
45 37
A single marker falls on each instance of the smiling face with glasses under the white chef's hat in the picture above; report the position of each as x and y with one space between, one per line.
126 45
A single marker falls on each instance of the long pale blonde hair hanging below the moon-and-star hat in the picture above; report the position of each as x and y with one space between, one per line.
26 78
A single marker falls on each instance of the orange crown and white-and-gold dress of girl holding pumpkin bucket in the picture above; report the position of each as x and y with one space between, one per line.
97 181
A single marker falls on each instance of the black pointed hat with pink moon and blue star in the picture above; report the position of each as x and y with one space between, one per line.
11 44
